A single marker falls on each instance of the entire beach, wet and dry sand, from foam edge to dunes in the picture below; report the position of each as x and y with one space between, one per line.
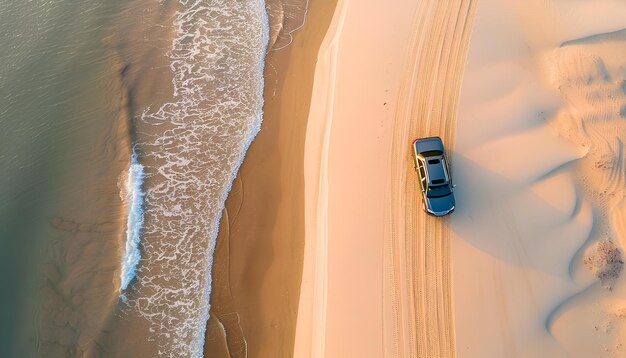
528 265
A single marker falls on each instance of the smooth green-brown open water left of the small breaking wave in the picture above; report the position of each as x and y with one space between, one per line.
59 120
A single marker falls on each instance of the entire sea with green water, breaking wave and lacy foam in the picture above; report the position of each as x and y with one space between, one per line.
122 126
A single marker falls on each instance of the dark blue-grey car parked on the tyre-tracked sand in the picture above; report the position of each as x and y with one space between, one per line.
433 173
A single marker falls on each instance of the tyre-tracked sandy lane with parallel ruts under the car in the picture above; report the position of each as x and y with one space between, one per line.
417 284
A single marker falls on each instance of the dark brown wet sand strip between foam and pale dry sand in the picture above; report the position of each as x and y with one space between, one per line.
258 258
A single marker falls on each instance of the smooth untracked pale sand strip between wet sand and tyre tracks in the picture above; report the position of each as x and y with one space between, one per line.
346 156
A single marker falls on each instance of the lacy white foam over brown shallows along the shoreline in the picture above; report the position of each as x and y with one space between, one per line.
193 147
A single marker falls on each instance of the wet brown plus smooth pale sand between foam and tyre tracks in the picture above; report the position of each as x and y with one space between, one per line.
340 196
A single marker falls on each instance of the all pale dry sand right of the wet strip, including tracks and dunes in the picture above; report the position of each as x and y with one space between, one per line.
539 163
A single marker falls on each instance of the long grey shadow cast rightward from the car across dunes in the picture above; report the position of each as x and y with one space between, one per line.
489 217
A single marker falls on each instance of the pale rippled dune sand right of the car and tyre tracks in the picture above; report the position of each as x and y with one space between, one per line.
541 180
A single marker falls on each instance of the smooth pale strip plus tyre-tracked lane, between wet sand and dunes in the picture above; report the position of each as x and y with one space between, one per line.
358 272
